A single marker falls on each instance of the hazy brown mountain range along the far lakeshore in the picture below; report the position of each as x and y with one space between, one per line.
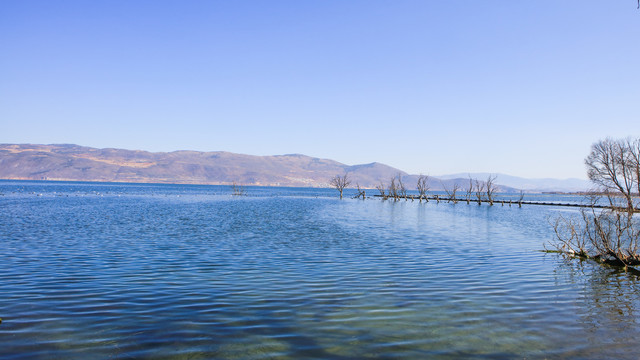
70 162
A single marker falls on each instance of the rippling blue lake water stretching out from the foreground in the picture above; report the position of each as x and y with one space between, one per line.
94 271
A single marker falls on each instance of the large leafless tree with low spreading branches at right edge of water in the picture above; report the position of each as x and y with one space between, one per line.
609 235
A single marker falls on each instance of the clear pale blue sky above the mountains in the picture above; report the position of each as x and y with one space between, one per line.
434 87
